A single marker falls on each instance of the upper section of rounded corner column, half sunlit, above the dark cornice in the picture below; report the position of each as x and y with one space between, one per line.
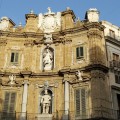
96 43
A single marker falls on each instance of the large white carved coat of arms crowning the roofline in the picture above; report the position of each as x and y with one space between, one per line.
50 21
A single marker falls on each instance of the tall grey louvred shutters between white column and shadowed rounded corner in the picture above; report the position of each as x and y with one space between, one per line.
81 103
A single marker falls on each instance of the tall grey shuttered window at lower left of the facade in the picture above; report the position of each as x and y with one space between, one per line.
9 106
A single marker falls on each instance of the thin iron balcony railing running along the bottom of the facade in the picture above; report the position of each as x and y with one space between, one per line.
91 114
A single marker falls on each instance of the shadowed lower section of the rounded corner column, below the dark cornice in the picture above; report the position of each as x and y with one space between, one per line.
99 94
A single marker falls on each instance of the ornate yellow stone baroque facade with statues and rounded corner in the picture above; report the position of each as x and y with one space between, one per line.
54 67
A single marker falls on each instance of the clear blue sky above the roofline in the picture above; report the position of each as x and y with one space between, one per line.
16 9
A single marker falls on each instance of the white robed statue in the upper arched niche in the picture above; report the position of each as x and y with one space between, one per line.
47 59
